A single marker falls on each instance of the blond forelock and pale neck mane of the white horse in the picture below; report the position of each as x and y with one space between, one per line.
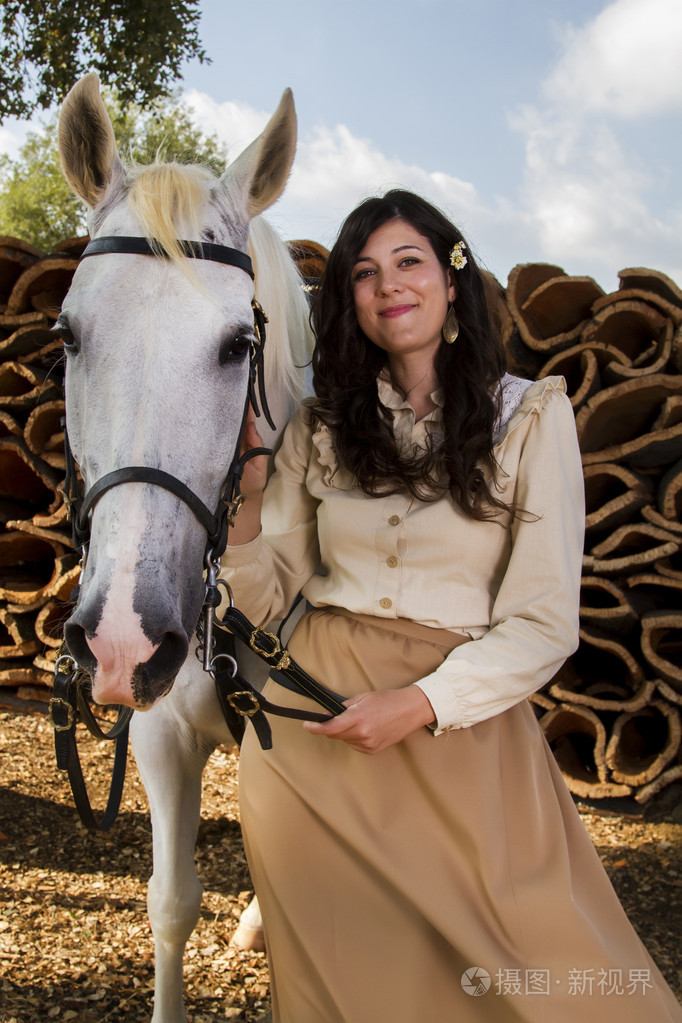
172 198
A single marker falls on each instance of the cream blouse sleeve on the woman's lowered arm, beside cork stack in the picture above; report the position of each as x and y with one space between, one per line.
534 618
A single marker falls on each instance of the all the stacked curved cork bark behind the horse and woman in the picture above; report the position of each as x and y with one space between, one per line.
613 714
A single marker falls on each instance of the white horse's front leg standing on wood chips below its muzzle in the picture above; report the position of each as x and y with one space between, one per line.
171 759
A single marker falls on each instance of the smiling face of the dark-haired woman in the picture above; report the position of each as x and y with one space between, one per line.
401 292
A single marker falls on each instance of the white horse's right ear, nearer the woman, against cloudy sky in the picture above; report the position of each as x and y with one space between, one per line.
261 171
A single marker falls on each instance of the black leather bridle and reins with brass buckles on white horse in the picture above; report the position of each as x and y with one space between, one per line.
239 699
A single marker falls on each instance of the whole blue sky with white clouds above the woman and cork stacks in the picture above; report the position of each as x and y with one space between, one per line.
550 130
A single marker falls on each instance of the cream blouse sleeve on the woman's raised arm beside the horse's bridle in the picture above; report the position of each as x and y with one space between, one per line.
266 574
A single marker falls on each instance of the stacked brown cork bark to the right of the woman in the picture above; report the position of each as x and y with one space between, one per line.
613 714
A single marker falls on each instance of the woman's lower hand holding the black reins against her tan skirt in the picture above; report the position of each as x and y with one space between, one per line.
374 722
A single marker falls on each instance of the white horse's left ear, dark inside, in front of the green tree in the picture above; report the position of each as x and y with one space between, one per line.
87 148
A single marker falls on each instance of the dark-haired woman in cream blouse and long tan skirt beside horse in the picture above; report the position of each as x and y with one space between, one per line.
419 857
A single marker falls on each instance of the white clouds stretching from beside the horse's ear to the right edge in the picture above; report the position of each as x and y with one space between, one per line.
588 193
